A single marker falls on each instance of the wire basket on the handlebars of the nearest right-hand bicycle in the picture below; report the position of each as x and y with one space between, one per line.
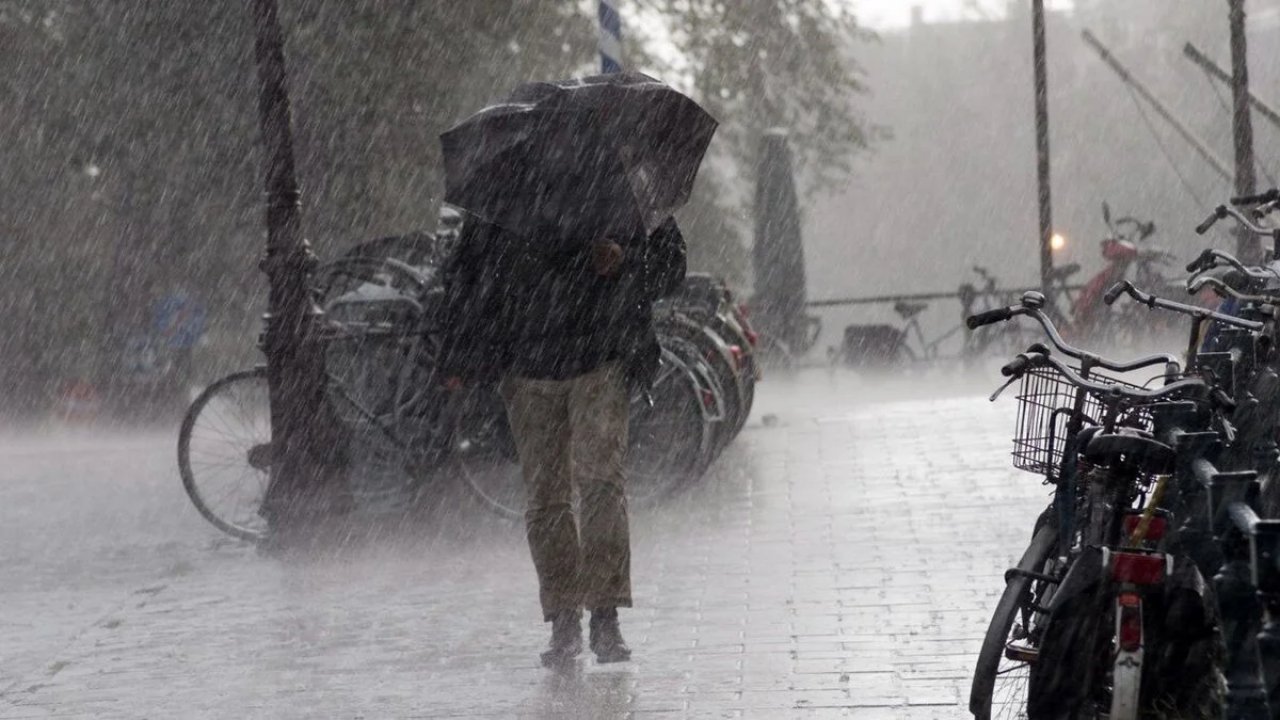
1045 403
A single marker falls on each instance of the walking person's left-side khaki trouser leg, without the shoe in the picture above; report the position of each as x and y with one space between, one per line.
538 412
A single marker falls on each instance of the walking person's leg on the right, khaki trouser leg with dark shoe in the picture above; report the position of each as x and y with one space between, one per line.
598 413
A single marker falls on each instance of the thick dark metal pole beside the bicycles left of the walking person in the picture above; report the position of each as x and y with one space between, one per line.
295 379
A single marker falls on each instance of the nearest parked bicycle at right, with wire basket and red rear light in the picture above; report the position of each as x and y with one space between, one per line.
1068 634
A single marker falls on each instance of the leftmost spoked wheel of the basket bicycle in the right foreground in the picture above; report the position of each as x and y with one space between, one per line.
1003 673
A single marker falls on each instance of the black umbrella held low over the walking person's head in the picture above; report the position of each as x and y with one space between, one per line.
584 157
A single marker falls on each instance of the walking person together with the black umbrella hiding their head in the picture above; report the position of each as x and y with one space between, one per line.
570 188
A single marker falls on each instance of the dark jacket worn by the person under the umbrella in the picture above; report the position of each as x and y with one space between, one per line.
536 308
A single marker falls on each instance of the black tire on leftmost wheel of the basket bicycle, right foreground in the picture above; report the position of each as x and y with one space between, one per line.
982 692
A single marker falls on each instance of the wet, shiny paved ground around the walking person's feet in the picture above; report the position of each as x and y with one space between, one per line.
840 562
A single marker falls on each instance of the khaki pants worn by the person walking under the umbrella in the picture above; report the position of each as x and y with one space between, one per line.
574 434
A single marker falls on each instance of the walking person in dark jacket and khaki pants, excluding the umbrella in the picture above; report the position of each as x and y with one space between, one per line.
564 323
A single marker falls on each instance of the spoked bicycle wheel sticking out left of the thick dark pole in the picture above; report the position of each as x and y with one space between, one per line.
225 453
